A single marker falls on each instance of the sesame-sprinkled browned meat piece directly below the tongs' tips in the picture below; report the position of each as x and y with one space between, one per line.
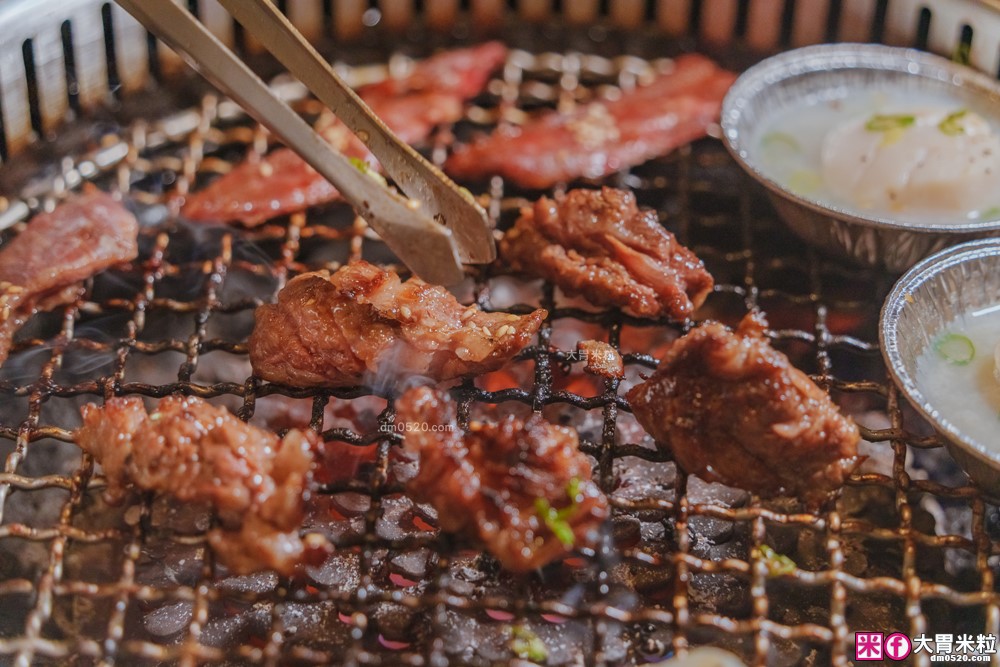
362 322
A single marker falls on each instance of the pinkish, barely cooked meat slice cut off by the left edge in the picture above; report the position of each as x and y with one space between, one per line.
43 266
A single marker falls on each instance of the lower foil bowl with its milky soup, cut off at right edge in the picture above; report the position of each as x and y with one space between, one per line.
940 337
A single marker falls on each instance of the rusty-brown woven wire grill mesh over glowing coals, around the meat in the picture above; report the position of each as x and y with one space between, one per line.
910 546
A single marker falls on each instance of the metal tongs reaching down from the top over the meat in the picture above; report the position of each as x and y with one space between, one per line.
437 229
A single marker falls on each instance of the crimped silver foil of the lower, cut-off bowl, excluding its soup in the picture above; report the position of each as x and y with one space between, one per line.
925 300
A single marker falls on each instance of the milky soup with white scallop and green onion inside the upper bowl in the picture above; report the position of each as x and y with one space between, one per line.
888 152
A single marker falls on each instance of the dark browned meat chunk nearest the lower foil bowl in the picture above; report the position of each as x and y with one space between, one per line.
734 410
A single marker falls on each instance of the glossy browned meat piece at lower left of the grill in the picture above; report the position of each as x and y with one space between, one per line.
197 452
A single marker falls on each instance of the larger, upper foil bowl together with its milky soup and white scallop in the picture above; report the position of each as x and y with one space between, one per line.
879 154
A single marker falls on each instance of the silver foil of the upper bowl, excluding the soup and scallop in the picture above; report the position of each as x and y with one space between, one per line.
831 70
